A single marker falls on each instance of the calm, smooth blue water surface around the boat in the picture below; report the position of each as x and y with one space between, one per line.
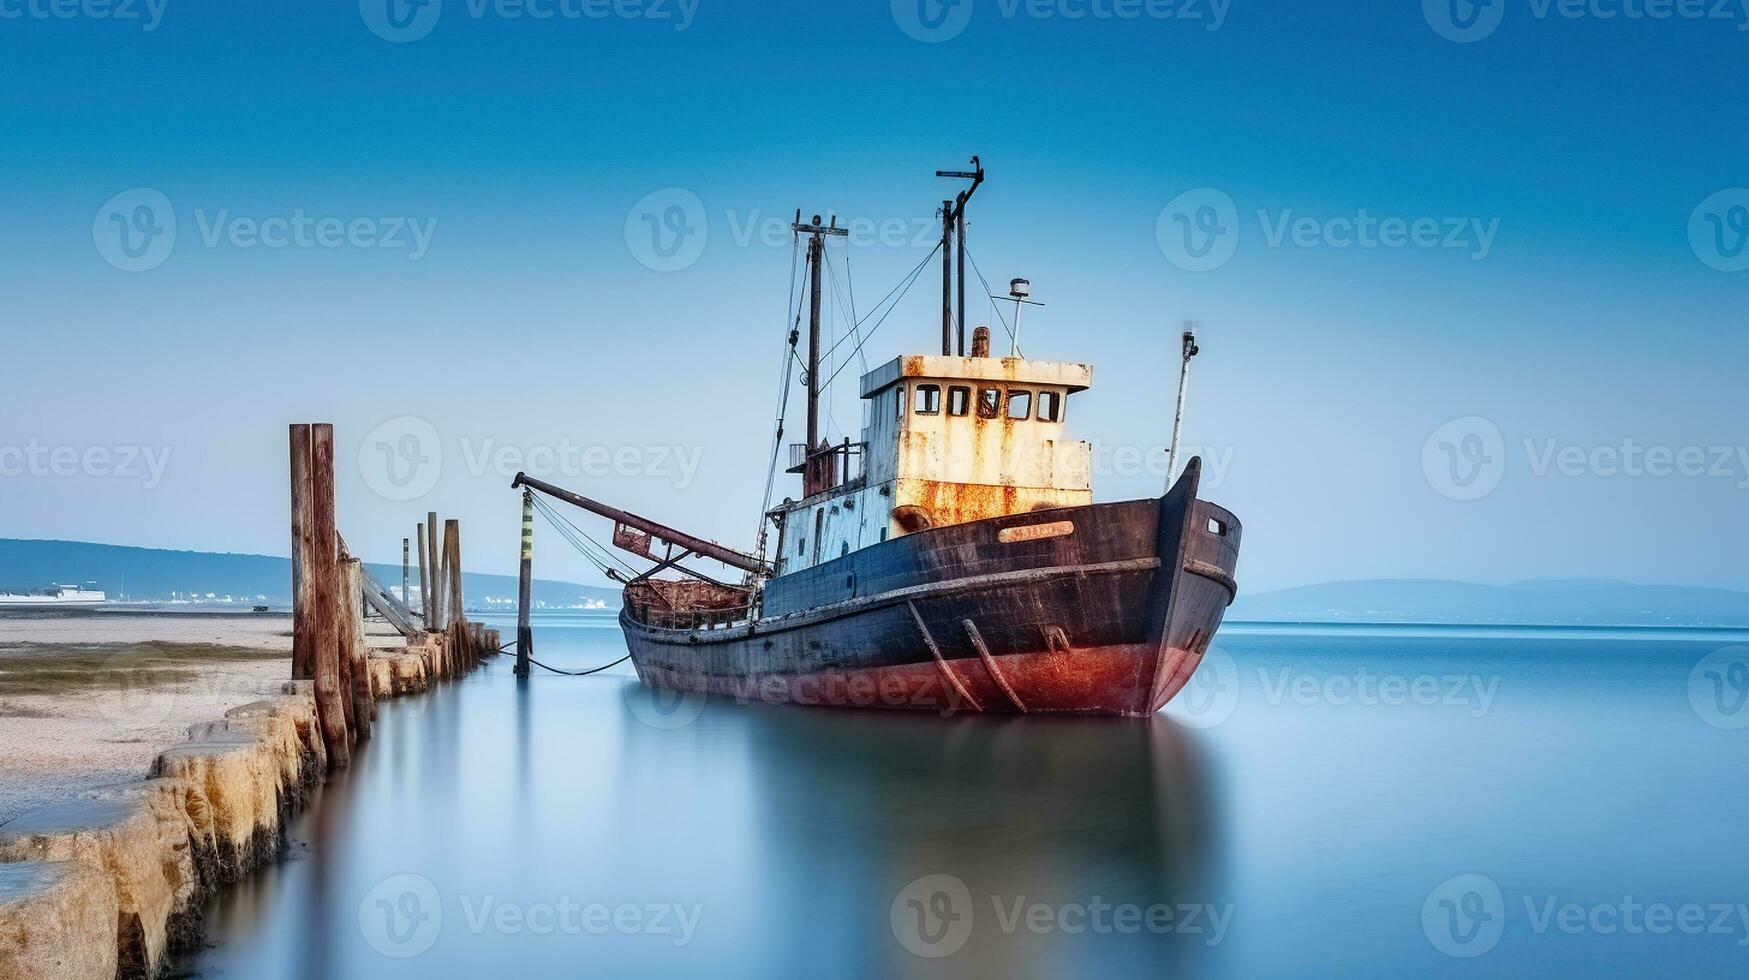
1358 802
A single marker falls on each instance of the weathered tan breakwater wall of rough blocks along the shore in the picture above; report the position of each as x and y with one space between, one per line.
113 885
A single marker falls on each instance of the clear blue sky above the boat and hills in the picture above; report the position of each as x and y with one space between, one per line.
526 146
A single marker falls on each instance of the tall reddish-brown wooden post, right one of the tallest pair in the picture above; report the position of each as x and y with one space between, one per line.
323 577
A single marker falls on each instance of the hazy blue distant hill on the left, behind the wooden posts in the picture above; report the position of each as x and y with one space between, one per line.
157 575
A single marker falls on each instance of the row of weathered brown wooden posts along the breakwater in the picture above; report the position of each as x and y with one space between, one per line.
331 589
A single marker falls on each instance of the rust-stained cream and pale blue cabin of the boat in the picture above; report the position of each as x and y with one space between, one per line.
945 440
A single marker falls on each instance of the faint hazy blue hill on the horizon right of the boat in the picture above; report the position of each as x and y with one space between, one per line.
1557 603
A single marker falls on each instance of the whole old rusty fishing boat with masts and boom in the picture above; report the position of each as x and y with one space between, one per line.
952 559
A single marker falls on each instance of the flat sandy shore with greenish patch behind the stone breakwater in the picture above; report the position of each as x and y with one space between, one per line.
92 701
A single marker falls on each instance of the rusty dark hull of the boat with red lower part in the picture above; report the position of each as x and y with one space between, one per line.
1087 610
